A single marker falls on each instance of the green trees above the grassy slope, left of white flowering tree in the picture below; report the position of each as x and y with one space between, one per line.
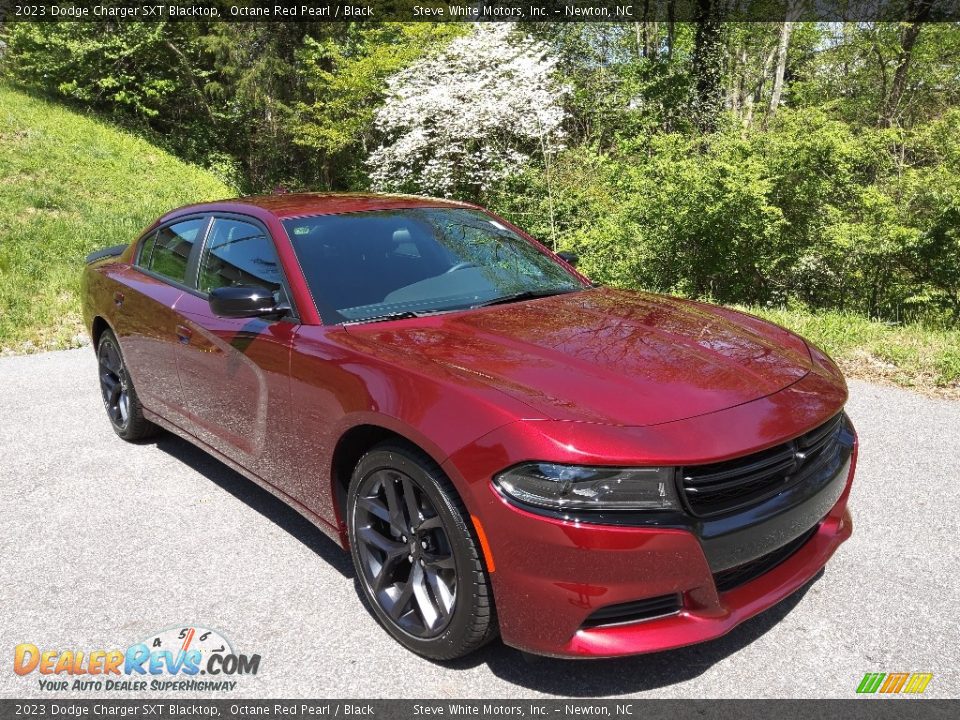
260 104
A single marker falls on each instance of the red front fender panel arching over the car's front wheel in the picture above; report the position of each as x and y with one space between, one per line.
338 385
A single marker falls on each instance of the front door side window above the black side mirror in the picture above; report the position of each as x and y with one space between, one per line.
239 253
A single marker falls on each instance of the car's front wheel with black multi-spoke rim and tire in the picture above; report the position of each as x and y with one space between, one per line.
418 563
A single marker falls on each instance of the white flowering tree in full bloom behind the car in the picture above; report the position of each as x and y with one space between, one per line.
476 112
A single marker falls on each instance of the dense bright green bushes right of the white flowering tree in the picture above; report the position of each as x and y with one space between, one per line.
811 210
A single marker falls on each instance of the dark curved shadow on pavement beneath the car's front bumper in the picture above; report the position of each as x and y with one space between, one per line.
619 676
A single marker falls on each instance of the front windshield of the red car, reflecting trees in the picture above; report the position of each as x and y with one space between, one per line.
369 265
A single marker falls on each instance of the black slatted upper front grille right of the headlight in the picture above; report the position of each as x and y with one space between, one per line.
723 487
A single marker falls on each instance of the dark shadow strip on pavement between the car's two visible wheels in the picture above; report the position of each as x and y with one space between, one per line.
259 499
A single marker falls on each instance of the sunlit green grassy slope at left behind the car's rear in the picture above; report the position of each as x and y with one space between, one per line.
70 184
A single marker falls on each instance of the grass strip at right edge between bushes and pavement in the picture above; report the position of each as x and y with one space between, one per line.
908 355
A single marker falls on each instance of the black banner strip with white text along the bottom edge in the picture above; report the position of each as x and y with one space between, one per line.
238 709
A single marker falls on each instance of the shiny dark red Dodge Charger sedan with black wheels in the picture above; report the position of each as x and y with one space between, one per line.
503 446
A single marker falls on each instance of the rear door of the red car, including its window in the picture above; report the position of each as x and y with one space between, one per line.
145 320
